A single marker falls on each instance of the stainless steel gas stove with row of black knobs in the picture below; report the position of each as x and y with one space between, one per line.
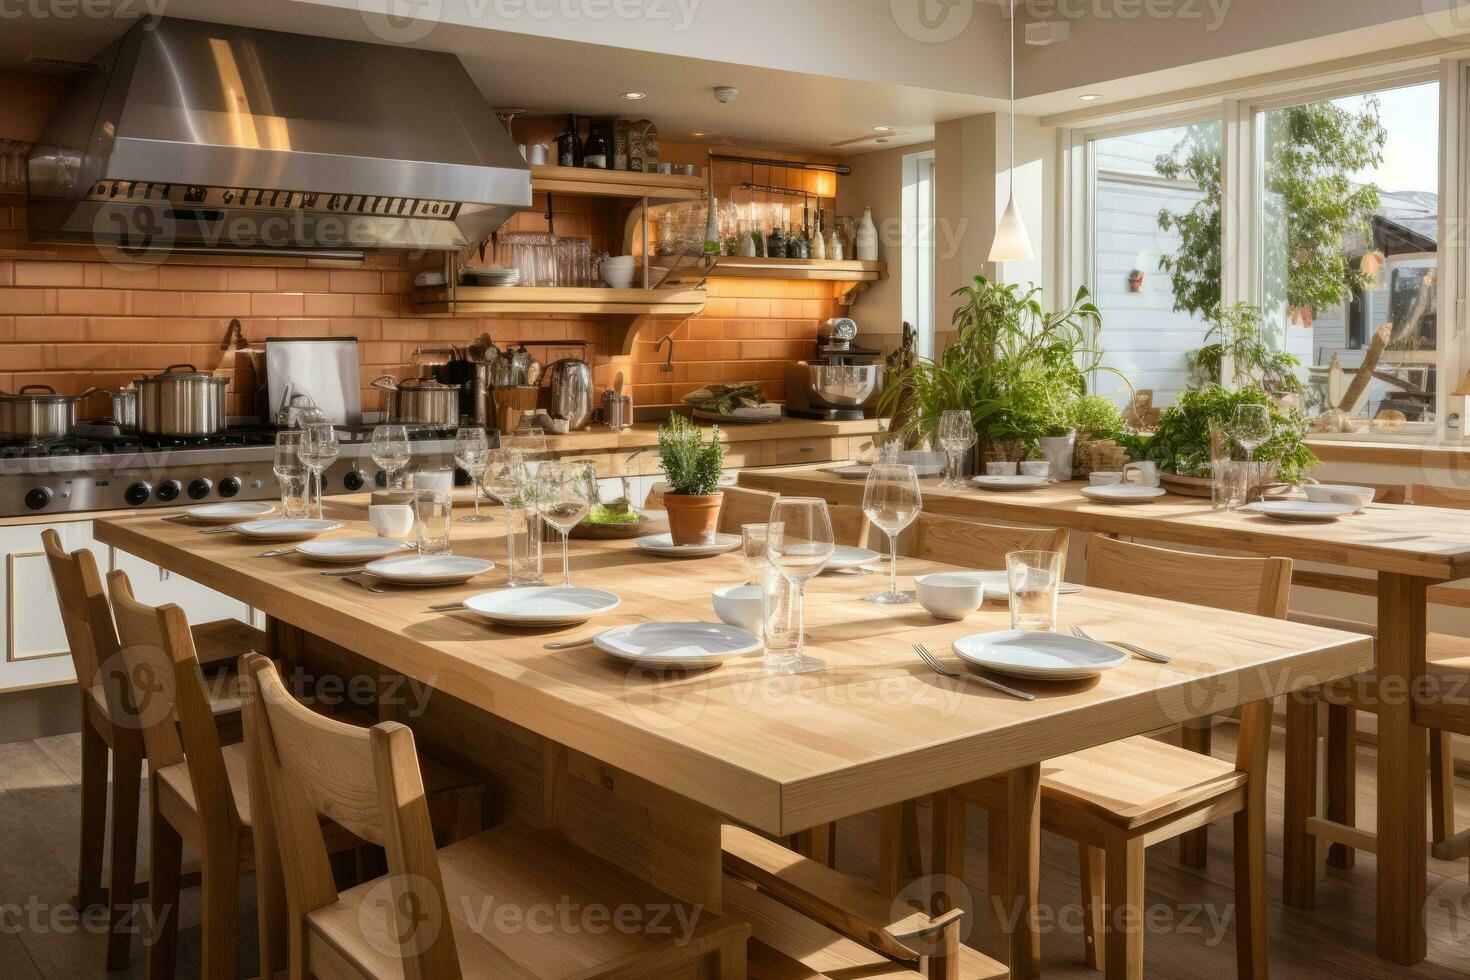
104 468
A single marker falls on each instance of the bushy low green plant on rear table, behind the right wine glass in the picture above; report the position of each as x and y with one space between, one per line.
1181 442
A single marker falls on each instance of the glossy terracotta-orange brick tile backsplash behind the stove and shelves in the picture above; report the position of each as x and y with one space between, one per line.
73 317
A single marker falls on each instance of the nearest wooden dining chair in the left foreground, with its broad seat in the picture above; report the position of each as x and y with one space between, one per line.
434 915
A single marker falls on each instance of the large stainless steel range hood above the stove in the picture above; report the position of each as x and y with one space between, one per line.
209 137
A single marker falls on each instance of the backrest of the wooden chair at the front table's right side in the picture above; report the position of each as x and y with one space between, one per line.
1261 587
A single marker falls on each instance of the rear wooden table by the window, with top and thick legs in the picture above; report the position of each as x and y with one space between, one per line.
1409 549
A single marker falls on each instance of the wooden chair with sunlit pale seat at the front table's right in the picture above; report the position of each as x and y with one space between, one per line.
1119 799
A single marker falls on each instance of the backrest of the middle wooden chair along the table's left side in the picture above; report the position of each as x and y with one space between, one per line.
165 687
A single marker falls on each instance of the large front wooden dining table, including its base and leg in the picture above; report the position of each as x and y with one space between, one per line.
645 768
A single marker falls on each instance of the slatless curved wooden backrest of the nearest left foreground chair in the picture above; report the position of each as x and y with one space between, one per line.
306 766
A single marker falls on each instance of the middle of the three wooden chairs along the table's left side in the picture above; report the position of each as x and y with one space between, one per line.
199 787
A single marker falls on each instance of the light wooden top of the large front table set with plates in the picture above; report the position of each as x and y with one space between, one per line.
780 753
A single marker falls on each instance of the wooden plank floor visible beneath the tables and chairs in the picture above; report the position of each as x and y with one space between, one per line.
1191 932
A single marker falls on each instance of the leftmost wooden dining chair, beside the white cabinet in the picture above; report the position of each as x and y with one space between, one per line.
93 641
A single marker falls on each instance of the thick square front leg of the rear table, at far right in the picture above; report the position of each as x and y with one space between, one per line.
1402 778
